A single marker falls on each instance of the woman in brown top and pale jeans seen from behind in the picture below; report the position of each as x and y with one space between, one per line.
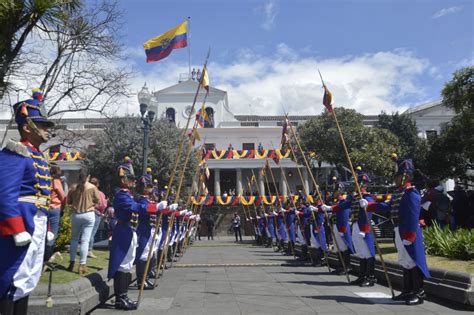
83 198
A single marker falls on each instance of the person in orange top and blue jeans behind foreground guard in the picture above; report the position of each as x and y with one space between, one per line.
54 213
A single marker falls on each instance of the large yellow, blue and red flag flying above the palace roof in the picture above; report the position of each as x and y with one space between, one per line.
161 46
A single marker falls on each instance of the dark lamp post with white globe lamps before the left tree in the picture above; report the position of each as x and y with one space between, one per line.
145 99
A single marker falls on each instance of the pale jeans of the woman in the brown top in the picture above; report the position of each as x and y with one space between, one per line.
82 225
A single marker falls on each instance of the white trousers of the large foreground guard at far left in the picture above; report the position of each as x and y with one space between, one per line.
28 274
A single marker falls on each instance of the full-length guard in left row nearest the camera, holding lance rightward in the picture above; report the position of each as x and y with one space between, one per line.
124 239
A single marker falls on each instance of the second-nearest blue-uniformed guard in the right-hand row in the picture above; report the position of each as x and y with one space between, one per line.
362 233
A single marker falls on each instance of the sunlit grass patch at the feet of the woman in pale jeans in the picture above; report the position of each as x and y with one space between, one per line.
61 275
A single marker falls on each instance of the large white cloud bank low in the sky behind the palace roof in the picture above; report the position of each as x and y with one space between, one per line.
369 83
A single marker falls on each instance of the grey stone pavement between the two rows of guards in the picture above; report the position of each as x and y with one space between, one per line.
222 277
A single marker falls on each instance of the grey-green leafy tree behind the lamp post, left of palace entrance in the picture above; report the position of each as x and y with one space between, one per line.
124 137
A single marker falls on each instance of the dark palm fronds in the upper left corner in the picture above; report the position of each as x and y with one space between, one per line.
18 19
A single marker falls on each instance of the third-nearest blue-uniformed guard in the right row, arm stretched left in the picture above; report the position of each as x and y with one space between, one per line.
342 230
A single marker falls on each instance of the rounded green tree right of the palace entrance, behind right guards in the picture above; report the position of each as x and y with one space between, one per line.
368 147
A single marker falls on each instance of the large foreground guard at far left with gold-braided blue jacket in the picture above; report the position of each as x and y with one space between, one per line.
25 188
